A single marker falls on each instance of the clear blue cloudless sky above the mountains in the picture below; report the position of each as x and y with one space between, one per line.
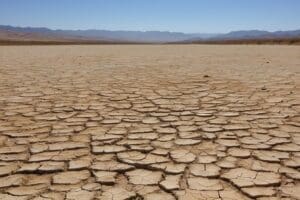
206 16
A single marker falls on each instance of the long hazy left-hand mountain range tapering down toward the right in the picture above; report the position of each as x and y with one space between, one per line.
29 33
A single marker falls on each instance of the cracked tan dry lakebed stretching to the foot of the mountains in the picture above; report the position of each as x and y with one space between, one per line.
149 122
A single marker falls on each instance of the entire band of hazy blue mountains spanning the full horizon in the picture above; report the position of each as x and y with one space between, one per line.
12 33
